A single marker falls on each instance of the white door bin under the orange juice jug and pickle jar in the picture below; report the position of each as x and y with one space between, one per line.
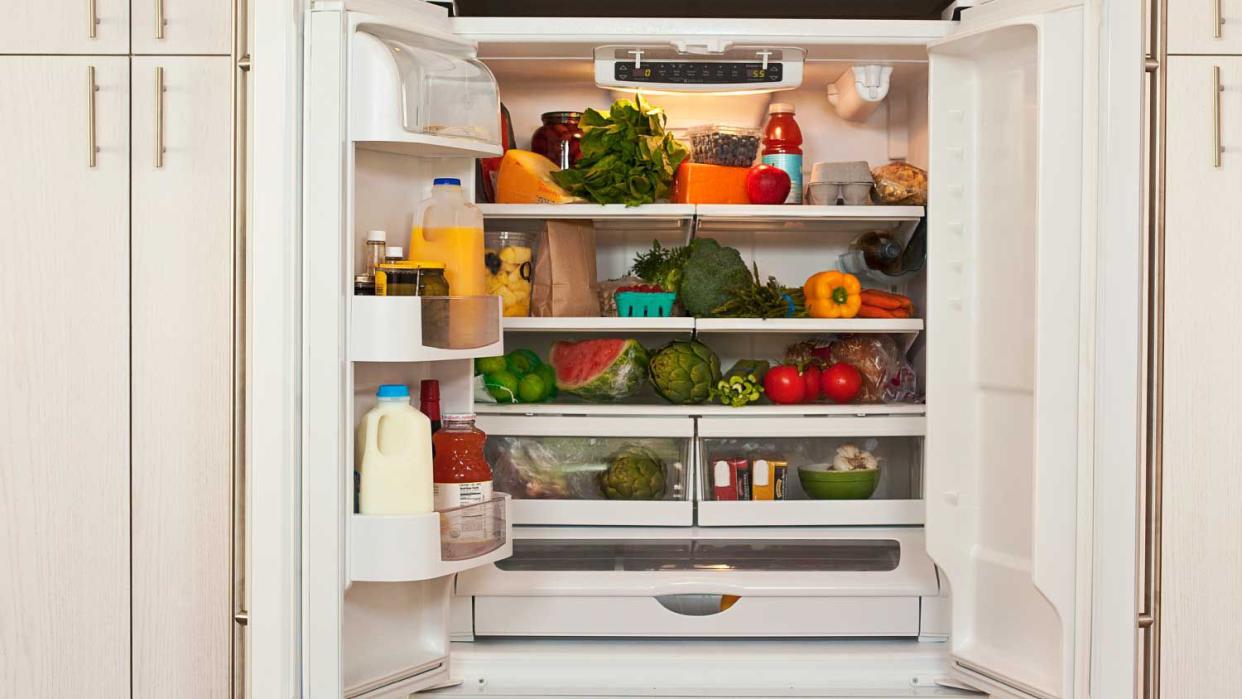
424 328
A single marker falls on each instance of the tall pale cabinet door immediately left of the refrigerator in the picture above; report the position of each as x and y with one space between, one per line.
182 389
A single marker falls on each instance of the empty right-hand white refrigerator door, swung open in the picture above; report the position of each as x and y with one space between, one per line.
1008 245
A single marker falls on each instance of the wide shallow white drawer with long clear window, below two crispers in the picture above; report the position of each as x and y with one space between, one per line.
660 562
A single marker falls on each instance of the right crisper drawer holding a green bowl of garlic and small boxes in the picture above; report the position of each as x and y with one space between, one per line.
751 471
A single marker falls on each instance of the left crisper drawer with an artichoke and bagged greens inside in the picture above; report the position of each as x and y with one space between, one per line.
592 471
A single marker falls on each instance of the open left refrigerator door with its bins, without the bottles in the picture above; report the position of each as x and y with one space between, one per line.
393 100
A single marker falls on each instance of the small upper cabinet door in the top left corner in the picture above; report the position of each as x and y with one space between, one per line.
65 27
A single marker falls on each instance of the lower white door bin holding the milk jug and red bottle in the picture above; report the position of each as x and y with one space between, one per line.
410 548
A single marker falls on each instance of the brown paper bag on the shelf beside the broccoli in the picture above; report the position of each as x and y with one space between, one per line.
564 276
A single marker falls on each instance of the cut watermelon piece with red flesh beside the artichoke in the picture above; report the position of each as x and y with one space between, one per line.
601 371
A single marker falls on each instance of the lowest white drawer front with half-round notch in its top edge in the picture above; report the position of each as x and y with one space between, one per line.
697 616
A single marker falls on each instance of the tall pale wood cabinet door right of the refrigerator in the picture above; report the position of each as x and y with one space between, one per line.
1203 482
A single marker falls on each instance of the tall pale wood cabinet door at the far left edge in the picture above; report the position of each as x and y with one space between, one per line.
65 378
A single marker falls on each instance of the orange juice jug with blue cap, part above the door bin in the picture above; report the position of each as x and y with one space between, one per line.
451 232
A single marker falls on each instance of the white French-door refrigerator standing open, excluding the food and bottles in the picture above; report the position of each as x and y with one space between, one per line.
964 569
